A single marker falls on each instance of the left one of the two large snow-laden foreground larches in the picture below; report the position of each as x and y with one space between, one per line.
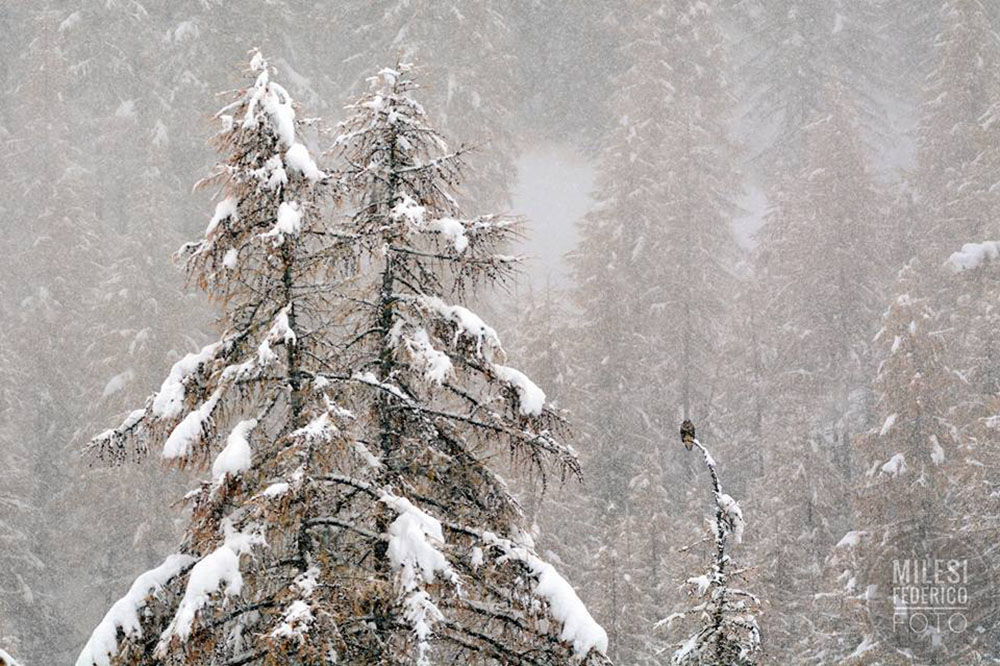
258 257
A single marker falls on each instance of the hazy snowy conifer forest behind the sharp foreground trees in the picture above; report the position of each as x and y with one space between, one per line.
778 191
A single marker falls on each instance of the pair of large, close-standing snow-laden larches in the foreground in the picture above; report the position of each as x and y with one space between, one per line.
347 414
